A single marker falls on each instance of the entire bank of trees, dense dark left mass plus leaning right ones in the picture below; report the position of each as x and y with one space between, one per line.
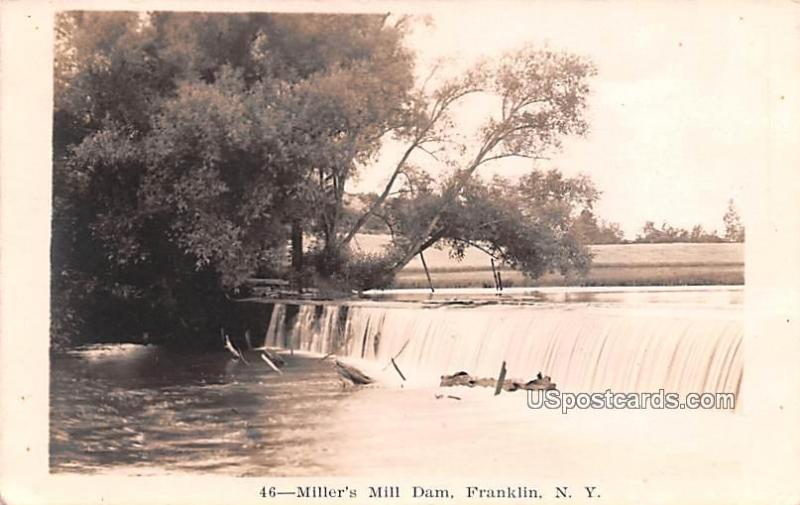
190 149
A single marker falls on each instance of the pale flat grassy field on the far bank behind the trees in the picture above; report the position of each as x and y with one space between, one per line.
613 265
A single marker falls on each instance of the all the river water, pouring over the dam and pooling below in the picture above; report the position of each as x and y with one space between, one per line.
136 409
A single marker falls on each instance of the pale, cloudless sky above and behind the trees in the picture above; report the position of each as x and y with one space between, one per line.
677 112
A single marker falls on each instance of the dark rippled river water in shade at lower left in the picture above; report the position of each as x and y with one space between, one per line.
130 405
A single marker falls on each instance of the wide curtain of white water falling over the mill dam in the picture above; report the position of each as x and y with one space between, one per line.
583 347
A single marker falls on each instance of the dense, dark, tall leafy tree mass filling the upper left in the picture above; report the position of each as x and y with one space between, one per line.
188 145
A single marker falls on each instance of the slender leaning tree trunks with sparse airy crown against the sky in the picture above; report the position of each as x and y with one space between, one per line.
541 97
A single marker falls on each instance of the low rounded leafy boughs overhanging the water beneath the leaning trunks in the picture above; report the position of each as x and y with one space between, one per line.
527 224
